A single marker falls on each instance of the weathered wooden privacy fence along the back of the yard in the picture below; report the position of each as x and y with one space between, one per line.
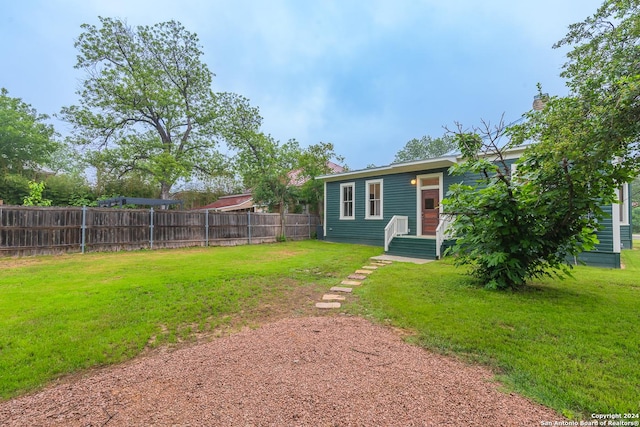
35 231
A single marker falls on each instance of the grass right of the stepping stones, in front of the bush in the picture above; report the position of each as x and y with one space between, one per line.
572 345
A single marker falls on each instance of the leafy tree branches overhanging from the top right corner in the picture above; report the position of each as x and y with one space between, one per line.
603 75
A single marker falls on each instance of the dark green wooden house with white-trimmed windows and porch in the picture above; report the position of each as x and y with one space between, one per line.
398 207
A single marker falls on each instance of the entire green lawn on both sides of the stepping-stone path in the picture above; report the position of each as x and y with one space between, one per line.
573 345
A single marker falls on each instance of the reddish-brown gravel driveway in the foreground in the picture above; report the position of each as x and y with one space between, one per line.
307 371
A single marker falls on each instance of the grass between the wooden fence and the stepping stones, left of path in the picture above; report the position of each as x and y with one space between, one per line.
64 314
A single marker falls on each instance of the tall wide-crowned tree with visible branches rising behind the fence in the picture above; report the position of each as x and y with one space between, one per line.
146 104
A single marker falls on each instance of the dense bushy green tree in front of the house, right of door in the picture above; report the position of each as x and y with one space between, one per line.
511 228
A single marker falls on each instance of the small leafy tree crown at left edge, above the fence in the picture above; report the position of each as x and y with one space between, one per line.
26 141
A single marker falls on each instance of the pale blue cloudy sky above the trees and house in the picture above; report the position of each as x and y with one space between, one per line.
366 75
